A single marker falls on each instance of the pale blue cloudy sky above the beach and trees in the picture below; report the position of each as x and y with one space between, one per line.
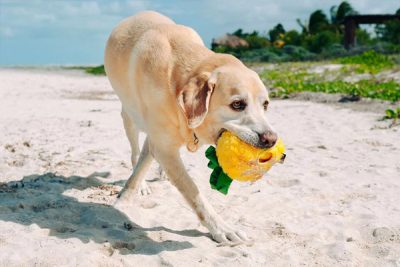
61 32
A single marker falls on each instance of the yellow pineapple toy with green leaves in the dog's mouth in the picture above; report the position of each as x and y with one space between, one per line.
234 159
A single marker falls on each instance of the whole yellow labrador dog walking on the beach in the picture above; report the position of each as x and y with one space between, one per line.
180 93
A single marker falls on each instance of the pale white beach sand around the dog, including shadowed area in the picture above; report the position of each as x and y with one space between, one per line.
64 157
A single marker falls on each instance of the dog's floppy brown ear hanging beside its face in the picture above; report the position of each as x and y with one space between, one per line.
194 98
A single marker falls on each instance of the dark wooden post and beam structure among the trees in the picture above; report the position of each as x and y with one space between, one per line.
351 22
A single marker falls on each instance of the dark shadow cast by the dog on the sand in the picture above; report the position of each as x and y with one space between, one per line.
39 199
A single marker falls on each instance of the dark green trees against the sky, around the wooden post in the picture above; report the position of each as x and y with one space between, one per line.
319 35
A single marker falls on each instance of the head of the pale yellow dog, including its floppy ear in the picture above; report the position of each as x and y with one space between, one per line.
229 97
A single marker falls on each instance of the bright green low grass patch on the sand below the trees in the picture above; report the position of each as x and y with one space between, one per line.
289 78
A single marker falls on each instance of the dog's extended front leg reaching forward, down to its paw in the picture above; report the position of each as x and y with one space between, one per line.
171 162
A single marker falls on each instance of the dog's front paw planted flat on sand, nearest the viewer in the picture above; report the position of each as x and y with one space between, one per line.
228 236
